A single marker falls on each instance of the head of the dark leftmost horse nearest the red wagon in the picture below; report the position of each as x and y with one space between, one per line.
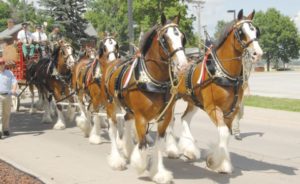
66 52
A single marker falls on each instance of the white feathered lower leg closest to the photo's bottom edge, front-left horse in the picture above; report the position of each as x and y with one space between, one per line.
158 172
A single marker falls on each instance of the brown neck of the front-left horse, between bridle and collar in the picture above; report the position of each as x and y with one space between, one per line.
157 68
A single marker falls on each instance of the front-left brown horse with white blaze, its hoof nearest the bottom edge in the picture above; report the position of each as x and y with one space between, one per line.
143 87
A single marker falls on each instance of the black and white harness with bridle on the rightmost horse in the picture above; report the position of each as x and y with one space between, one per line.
217 73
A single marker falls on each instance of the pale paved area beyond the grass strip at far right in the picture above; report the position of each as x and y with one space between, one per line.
275 84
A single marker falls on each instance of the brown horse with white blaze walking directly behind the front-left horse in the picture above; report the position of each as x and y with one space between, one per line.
86 80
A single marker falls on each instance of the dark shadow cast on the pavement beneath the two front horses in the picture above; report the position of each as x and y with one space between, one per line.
187 170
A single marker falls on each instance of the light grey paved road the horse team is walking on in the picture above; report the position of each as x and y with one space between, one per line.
268 153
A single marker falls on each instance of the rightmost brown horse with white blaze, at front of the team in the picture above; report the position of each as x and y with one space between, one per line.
216 85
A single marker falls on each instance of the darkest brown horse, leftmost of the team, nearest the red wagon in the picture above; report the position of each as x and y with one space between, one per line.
53 79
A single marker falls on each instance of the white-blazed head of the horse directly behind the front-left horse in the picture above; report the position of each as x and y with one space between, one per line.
109 48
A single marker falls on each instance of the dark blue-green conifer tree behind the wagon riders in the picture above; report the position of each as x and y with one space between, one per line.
69 14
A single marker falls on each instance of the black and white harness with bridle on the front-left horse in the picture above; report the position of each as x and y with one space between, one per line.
144 82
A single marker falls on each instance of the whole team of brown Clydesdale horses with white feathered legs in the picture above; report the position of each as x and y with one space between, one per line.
146 88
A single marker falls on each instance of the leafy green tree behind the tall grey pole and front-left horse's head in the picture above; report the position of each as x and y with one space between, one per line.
111 15
